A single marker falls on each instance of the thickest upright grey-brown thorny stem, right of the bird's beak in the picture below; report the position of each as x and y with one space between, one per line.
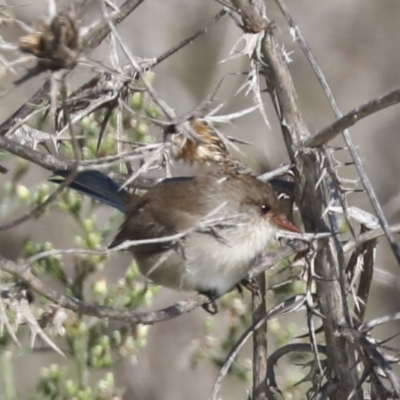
331 285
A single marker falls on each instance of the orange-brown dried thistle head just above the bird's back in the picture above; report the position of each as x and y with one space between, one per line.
195 140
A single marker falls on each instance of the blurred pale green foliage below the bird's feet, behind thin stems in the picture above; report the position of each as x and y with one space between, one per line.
214 348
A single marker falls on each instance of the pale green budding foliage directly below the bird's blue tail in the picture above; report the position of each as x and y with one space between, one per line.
91 344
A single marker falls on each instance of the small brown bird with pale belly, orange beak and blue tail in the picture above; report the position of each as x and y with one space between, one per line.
226 222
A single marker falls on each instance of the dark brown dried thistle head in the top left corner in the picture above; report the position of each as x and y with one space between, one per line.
55 45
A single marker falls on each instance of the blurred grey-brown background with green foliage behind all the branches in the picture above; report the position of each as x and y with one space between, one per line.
355 43
